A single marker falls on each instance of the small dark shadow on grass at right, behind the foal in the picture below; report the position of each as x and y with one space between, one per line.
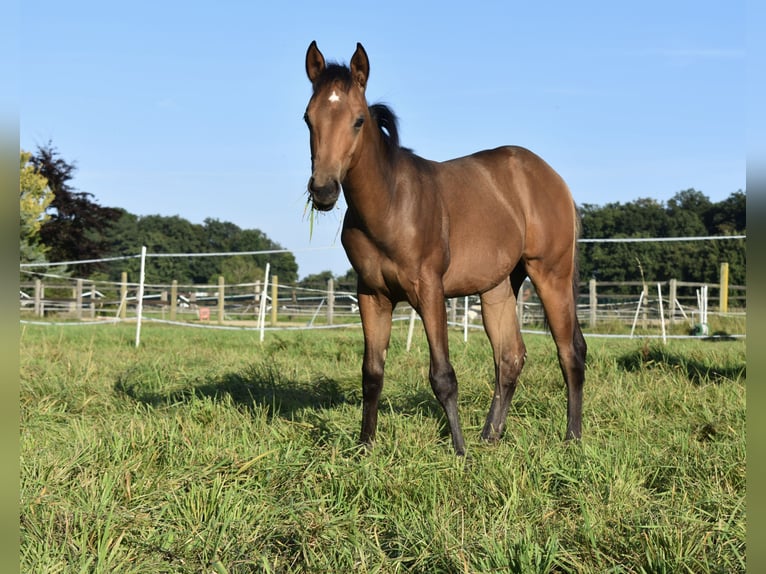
697 371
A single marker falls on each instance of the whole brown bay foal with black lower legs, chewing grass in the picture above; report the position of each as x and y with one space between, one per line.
419 231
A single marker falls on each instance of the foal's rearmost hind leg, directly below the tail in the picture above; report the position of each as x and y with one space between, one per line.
557 294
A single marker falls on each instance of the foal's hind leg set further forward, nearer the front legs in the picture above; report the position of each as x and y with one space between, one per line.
498 308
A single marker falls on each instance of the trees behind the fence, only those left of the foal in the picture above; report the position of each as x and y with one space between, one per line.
73 226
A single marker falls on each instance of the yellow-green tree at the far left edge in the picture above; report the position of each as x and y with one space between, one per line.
34 198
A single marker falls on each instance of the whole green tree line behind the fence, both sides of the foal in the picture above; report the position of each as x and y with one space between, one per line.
60 223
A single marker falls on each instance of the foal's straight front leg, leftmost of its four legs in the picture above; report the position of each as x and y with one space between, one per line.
375 311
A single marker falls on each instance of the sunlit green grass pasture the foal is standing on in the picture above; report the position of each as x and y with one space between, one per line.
207 451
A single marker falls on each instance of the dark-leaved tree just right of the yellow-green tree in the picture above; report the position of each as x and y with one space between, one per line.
76 227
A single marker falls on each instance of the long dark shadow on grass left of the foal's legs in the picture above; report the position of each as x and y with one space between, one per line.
252 389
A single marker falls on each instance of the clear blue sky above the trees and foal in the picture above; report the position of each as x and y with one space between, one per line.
195 109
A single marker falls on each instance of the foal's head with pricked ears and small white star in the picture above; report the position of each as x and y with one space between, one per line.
335 115
